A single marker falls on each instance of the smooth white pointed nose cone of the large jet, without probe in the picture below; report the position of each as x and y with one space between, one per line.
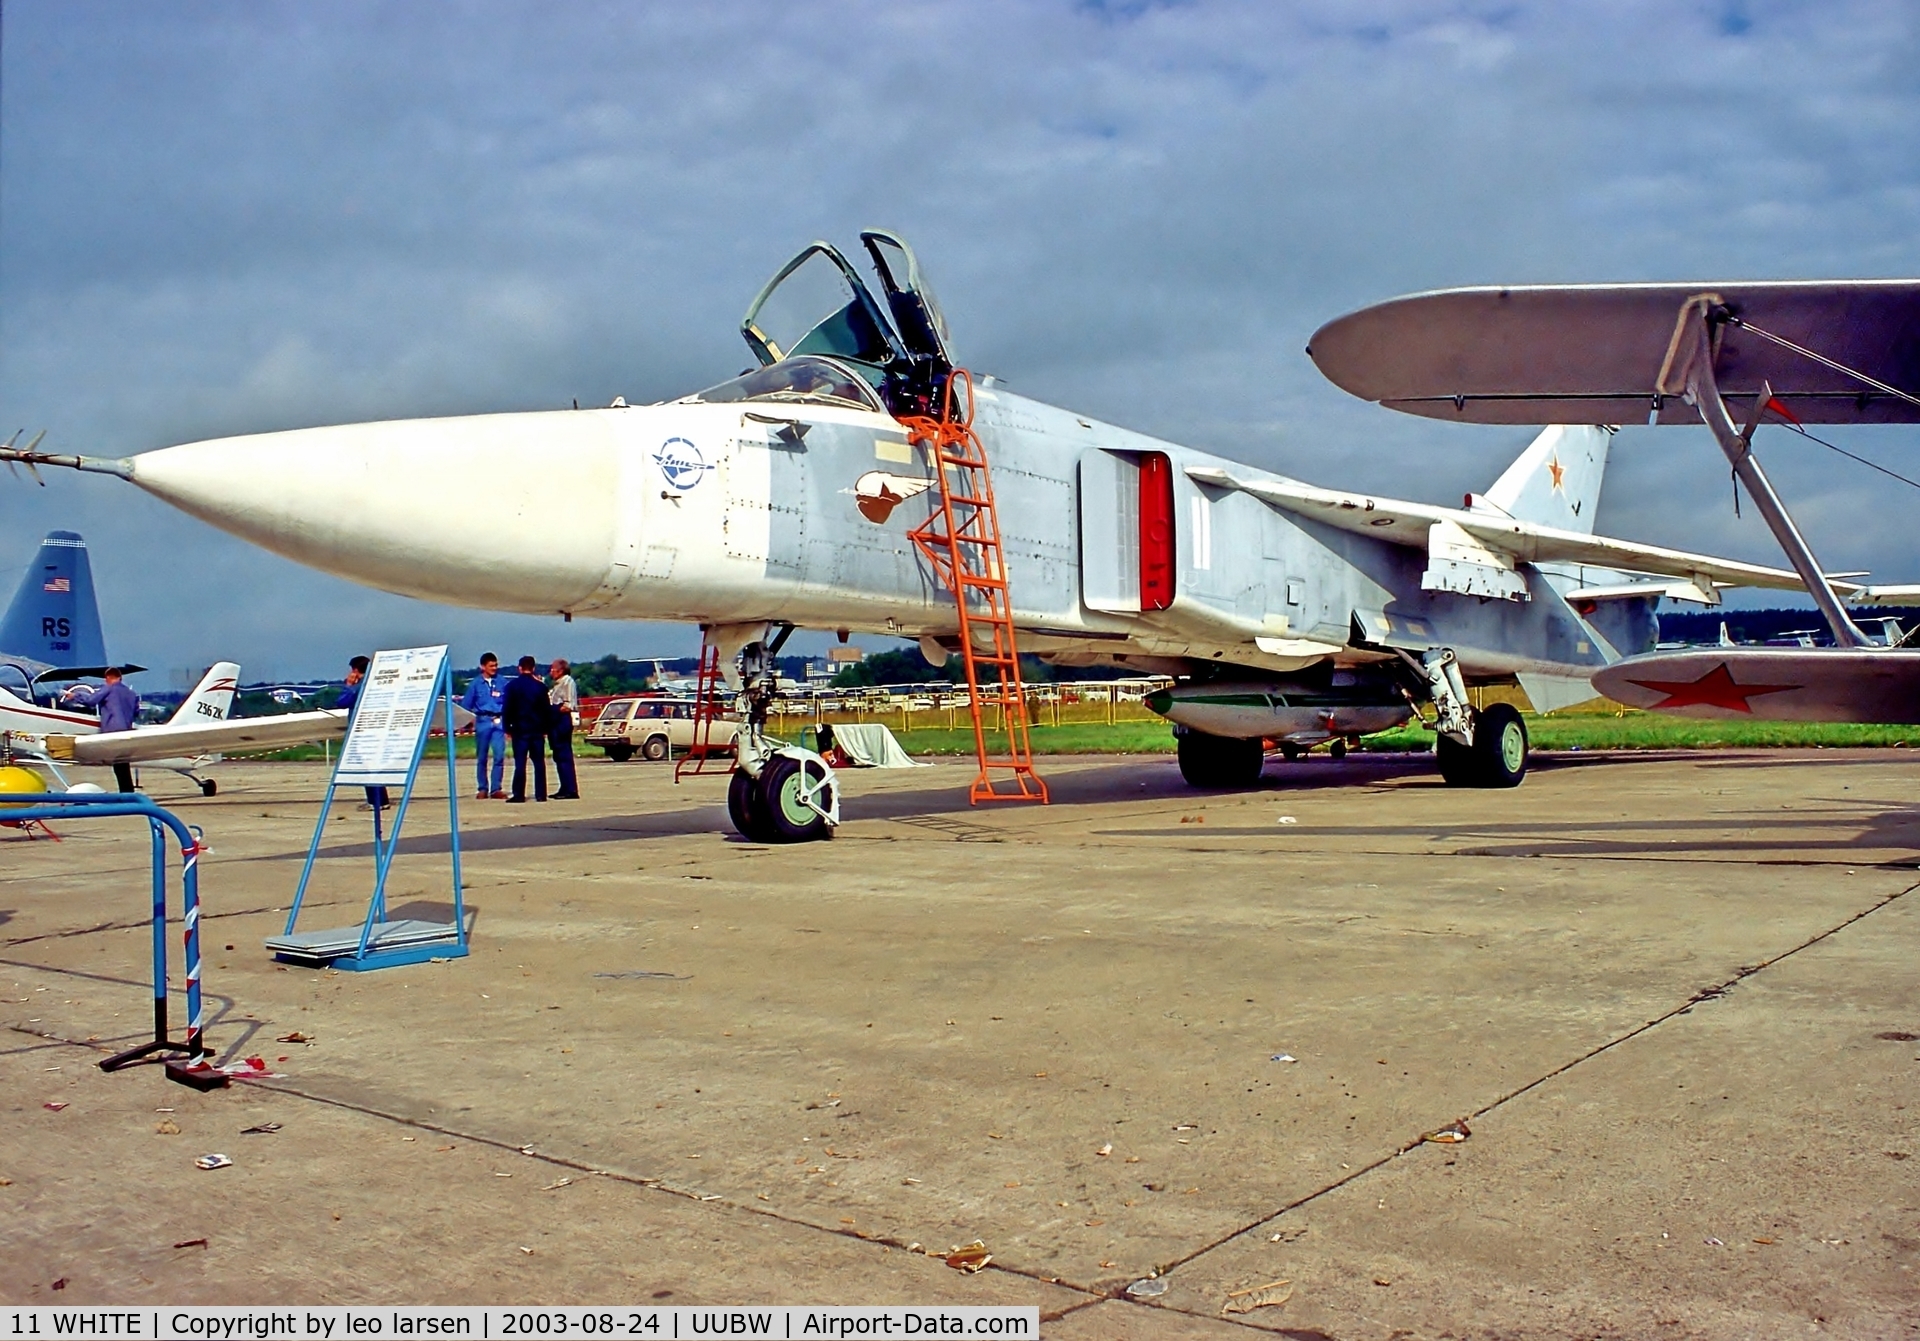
498 512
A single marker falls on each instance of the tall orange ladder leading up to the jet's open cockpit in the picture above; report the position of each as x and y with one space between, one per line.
963 543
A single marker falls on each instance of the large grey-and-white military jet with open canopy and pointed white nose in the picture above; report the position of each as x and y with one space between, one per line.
784 499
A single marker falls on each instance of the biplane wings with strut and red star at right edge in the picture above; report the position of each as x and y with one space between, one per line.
1725 354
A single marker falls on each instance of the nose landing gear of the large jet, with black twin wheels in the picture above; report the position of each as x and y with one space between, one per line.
779 792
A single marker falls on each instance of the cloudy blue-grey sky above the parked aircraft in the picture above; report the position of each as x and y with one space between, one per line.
235 216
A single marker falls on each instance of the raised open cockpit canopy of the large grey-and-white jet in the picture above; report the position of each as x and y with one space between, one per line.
817 305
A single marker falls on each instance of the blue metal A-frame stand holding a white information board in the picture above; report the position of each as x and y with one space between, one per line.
381 942
